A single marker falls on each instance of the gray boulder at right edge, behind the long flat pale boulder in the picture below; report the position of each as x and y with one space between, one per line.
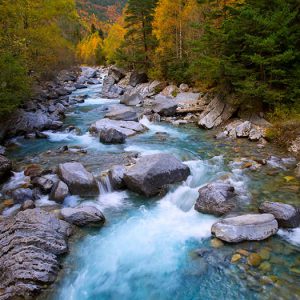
287 215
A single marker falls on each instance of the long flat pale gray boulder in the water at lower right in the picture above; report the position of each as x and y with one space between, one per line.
245 228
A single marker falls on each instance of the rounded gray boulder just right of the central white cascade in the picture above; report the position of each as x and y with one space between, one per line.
216 198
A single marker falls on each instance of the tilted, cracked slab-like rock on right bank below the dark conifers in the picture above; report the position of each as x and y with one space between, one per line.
216 112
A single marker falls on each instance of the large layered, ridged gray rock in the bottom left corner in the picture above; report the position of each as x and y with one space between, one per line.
30 245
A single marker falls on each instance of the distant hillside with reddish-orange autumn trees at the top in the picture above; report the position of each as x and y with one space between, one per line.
103 9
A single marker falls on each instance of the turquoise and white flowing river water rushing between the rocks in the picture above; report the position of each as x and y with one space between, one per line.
149 249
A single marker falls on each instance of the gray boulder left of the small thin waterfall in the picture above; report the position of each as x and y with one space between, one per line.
78 179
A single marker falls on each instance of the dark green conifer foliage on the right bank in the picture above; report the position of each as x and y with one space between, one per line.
254 52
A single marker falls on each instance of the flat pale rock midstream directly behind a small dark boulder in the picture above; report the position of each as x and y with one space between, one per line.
129 128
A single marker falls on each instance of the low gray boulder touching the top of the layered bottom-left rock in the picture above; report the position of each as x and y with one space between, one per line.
83 216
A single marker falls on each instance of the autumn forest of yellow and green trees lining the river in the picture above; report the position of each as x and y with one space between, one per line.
248 50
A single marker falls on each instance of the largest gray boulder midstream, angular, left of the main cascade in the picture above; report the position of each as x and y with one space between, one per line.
151 173
